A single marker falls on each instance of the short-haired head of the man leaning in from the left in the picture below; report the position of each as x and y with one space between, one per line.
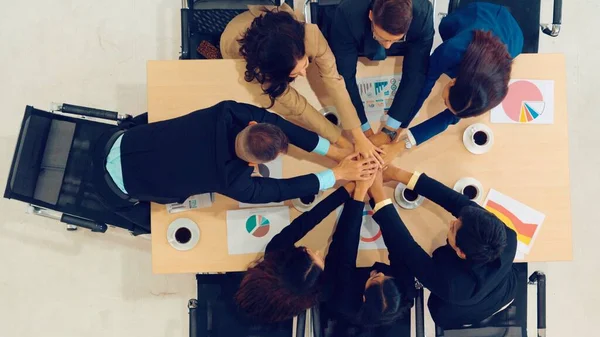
260 143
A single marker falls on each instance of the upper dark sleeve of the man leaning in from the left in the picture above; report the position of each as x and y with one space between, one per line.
242 114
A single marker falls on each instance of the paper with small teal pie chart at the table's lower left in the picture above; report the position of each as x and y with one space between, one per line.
250 230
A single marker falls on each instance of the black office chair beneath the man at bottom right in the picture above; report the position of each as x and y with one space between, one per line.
512 321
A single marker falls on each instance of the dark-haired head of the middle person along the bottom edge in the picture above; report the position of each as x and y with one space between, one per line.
383 303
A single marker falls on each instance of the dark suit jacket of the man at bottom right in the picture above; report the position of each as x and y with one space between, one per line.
461 292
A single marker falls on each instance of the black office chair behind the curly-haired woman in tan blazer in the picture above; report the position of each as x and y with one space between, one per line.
203 21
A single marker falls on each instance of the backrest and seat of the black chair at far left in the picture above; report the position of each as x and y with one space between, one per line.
52 167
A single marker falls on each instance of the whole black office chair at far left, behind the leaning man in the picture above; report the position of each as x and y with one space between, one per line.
52 170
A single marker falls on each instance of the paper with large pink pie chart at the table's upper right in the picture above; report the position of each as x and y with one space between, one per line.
527 102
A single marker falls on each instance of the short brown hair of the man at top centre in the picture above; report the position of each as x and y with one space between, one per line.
393 16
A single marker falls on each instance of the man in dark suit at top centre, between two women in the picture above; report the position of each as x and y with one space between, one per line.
379 28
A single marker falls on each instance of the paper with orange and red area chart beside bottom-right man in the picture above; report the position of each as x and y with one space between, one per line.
524 220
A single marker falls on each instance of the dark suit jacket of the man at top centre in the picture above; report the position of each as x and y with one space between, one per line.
351 36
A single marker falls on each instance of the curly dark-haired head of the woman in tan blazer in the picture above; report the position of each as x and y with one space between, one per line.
273 48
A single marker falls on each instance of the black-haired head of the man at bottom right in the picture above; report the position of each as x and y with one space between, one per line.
477 235
